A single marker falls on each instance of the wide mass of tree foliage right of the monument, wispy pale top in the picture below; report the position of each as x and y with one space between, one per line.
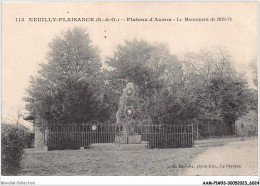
208 88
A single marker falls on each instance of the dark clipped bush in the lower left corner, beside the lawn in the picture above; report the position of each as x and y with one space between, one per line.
14 138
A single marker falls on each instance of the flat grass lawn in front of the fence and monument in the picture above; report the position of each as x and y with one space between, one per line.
109 160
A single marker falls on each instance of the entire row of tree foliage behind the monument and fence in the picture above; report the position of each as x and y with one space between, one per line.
71 87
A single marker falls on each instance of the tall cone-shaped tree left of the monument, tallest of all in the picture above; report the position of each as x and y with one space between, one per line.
69 86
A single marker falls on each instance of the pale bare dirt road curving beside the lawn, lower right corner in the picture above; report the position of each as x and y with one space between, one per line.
233 159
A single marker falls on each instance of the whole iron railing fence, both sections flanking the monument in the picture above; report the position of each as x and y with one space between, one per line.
74 136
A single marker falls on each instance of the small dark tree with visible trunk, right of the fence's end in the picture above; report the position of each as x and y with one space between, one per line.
231 98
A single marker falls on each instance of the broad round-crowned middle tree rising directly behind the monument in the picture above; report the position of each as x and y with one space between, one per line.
141 63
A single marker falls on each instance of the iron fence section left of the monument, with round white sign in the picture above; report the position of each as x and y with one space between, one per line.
74 135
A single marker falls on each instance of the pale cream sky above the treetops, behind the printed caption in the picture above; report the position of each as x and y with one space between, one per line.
25 43
